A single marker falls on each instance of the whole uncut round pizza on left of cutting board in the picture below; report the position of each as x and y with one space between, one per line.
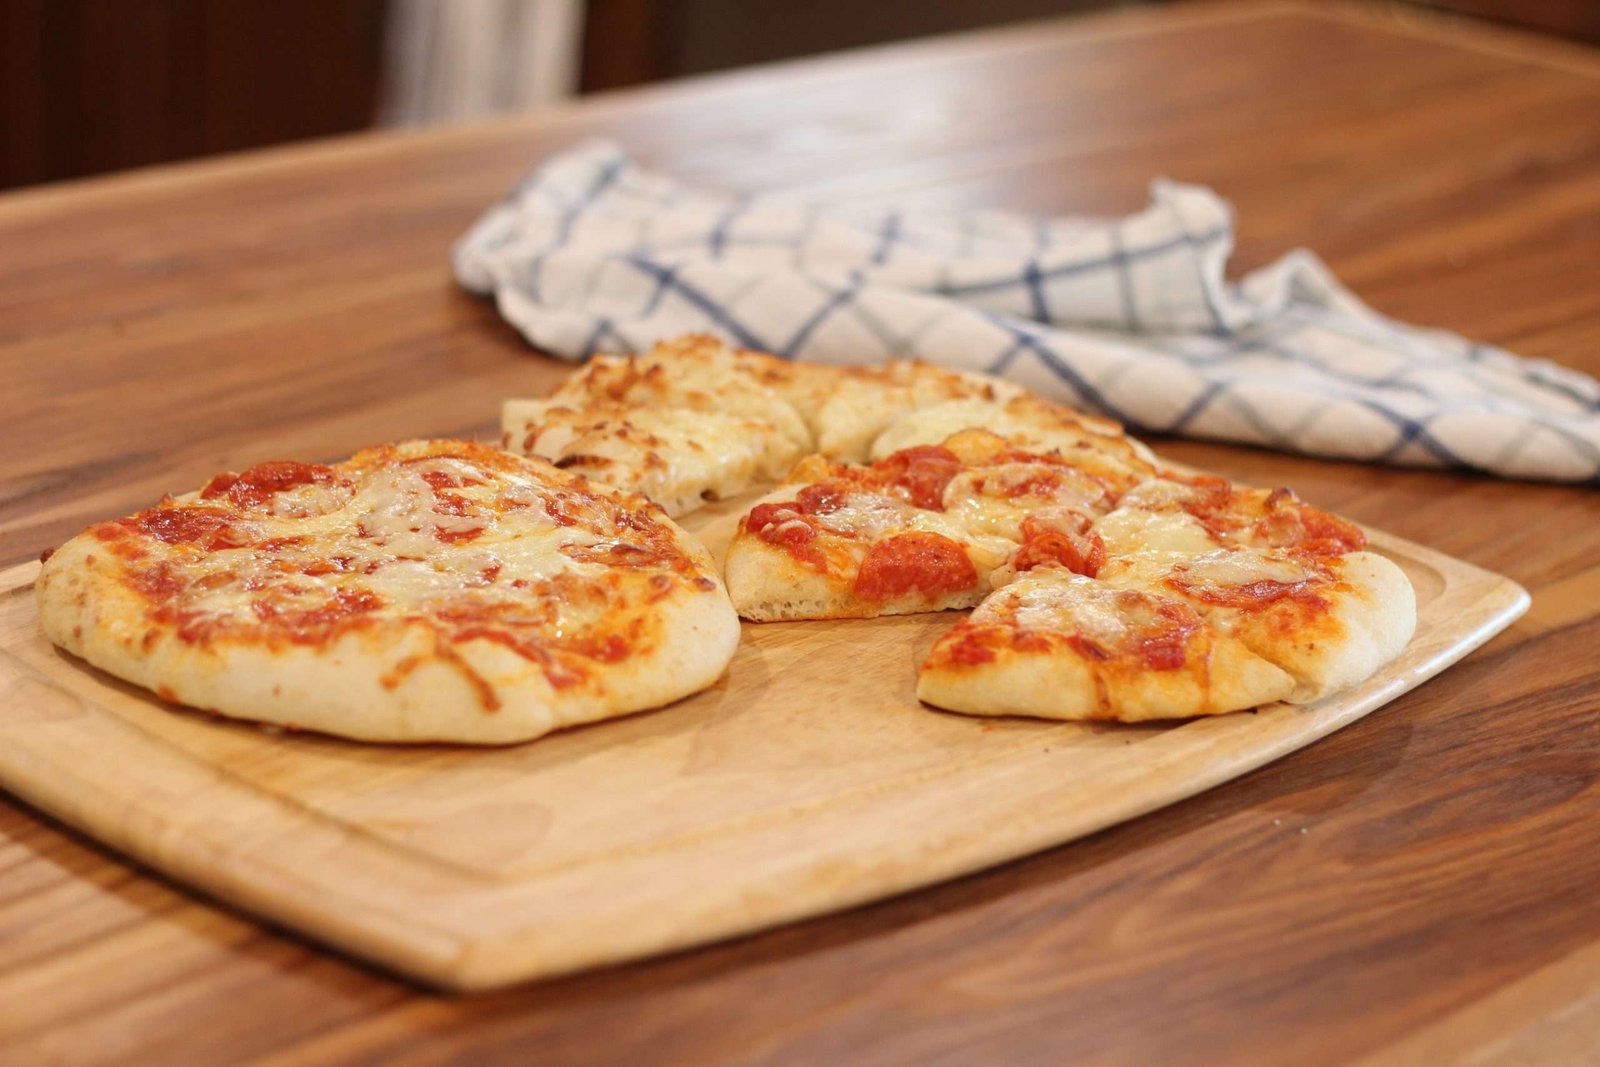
431 591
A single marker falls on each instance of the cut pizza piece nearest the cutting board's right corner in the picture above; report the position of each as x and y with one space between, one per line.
1190 597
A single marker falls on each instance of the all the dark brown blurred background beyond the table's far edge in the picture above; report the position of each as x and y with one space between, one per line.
100 86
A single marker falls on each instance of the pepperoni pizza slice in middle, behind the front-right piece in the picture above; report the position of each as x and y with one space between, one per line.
921 530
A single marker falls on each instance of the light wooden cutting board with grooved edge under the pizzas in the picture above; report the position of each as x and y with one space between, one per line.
809 780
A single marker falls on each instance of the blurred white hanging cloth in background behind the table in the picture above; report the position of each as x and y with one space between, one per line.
450 60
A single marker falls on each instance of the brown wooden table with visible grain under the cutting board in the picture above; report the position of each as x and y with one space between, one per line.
1418 889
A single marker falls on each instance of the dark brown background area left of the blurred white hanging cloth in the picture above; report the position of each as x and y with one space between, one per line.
94 86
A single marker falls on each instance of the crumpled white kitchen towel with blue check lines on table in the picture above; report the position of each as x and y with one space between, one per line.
1127 318
